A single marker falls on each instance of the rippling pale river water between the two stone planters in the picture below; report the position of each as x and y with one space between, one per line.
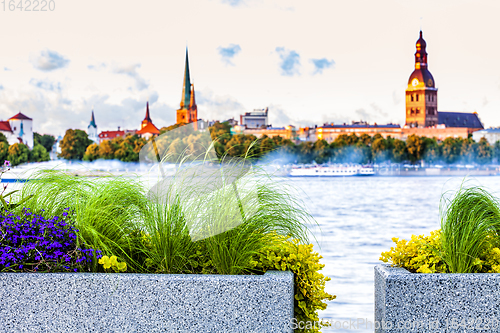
357 217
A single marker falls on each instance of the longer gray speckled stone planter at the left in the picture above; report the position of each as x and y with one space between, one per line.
88 302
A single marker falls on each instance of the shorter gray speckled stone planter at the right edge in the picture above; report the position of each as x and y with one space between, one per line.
411 302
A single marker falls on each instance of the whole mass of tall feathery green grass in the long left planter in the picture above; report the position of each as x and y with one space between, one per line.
219 216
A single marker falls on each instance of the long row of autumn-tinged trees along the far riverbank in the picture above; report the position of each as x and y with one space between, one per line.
345 148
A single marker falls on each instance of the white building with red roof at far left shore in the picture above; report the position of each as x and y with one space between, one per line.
18 129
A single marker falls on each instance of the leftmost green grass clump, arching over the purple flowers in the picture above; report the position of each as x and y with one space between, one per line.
106 210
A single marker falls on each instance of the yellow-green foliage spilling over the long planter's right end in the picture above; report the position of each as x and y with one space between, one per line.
283 254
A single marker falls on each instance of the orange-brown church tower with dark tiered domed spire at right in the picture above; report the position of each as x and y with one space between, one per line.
421 94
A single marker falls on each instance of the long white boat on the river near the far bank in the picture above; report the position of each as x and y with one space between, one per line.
336 170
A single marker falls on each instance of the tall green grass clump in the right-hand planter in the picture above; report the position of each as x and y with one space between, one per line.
469 221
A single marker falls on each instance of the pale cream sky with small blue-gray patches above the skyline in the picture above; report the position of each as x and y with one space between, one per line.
309 62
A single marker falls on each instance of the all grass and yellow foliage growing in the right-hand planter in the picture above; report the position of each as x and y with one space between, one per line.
467 242
